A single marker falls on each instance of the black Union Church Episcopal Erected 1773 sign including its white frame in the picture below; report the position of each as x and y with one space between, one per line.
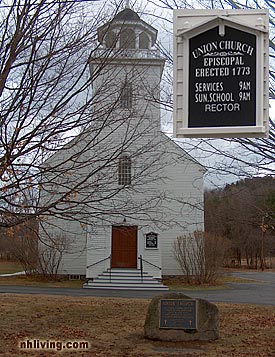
221 73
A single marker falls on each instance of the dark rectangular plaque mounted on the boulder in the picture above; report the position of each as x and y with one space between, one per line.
178 314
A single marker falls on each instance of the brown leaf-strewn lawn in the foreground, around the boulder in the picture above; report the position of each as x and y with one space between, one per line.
113 327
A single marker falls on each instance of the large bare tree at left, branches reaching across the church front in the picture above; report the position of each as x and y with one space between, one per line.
48 106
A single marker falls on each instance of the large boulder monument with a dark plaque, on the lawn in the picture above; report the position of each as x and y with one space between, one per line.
177 317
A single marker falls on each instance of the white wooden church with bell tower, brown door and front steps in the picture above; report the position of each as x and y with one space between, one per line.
149 191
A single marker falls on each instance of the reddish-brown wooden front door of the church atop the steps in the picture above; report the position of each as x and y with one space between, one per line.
124 247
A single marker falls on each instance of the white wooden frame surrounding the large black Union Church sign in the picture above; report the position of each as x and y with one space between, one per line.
189 23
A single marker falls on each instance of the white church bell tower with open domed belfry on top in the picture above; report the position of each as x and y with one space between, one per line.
127 67
